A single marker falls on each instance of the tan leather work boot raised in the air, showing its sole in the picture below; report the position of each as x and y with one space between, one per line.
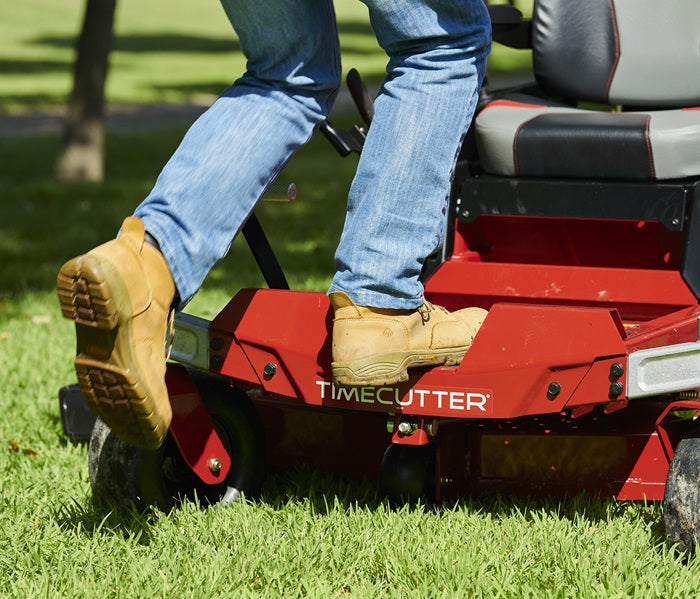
120 296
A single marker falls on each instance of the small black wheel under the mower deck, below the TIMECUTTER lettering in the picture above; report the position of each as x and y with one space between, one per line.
407 473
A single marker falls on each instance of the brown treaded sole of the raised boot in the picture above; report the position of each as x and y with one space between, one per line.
95 297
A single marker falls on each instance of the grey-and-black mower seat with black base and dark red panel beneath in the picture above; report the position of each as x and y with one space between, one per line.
609 132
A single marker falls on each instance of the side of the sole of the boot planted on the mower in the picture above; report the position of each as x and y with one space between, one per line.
391 368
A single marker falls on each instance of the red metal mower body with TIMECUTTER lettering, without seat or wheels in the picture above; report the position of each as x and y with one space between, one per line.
538 405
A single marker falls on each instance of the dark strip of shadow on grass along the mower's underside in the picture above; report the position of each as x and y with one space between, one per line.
324 494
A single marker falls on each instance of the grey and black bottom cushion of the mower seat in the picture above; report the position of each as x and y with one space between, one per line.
537 140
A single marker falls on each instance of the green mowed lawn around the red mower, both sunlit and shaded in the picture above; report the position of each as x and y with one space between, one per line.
307 535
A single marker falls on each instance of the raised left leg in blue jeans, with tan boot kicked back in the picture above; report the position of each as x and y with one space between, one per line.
119 294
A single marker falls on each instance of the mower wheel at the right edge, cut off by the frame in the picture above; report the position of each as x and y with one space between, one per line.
682 493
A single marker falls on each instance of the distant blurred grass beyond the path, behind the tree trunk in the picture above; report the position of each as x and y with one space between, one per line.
164 50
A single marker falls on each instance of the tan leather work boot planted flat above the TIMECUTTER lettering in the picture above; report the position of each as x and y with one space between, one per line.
376 346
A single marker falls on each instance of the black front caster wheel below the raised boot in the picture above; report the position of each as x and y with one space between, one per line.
122 475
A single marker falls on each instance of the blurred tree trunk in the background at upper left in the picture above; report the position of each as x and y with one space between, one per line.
82 153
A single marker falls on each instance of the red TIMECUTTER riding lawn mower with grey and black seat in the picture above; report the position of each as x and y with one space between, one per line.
574 220
